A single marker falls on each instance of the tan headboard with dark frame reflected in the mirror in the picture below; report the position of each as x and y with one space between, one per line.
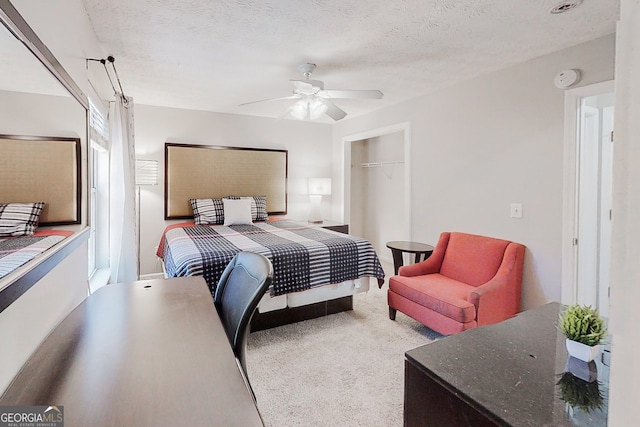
42 169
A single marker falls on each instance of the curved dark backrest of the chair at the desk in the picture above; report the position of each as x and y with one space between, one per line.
242 284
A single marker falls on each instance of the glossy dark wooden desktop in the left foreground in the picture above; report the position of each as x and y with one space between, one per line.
148 353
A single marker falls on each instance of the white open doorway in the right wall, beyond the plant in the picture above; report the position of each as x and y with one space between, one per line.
588 195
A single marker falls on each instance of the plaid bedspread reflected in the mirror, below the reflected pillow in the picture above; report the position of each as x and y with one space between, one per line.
16 251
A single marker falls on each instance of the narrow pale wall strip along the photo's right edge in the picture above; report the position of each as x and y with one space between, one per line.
625 251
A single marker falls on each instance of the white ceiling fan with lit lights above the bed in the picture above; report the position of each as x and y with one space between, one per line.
314 100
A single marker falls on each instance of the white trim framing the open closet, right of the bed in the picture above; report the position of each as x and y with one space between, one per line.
405 128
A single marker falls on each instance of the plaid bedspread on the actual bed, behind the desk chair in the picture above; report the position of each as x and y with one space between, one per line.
302 256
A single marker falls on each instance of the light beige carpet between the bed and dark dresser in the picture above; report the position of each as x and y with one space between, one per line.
346 369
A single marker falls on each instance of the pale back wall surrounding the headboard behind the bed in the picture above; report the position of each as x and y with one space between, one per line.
308 144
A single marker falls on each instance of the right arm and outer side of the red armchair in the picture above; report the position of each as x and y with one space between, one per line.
499 298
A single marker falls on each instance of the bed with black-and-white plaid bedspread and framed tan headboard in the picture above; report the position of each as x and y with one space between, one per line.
316 270
